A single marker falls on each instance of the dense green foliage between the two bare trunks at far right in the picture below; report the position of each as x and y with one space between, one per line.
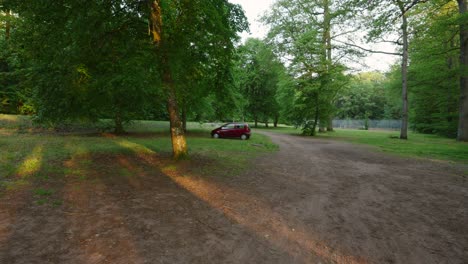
434 69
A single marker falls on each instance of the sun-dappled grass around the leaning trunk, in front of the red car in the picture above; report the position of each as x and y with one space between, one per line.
35 158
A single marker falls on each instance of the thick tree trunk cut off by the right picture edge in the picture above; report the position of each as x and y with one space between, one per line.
462 133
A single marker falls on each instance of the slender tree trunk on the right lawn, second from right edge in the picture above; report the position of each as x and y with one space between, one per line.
404 75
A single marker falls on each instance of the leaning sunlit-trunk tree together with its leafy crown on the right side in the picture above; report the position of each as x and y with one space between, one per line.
181 28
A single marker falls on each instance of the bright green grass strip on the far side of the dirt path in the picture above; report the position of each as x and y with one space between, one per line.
418 145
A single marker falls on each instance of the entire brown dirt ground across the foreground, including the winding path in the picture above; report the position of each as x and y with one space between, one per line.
314 201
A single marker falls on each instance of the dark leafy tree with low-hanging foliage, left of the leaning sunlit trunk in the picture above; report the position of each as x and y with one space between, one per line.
86 60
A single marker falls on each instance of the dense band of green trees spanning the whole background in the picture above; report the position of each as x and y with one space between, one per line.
180 60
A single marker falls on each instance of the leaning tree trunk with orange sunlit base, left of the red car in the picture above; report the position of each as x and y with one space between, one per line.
179 144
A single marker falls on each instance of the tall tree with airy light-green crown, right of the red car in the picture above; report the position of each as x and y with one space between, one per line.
302 32
